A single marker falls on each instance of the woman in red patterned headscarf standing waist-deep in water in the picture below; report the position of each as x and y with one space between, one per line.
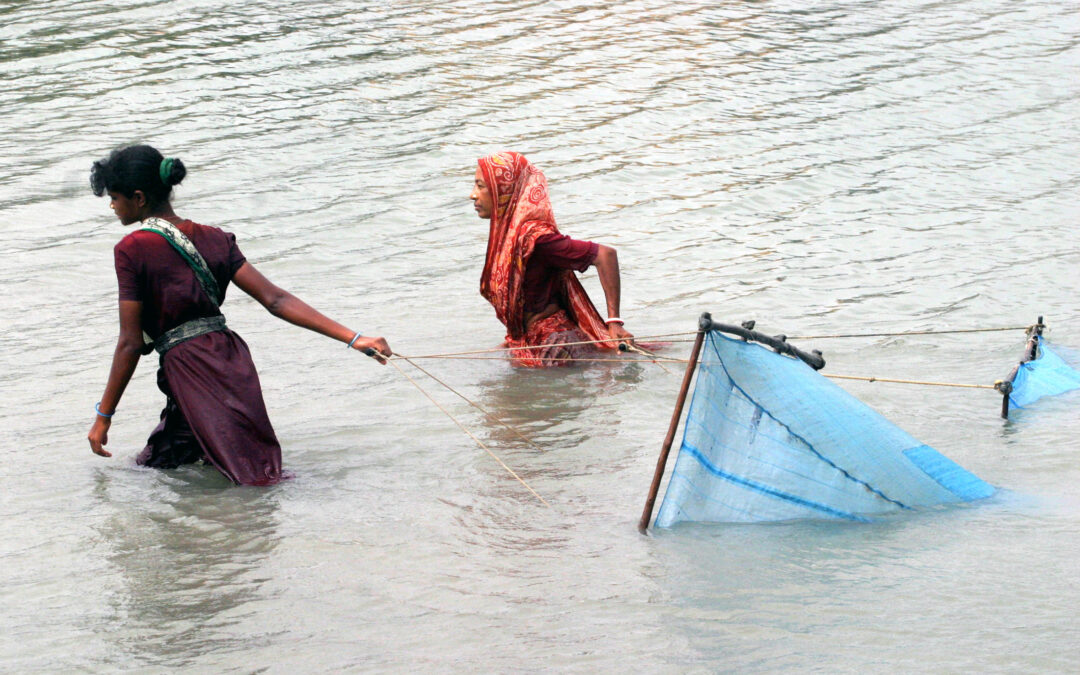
529 274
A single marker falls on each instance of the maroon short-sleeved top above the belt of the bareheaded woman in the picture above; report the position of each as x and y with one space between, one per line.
151 272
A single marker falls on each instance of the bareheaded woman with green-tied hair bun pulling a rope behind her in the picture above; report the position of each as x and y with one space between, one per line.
173 275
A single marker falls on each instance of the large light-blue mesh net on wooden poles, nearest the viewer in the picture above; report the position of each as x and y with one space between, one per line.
769 439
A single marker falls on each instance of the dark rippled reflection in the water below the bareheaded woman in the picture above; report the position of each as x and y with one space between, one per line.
191 552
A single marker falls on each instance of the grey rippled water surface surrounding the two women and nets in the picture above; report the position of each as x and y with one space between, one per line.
823 168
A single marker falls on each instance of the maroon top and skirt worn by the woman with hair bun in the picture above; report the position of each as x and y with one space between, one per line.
214 409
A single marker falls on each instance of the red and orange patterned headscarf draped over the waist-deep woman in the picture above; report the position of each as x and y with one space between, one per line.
522 213
